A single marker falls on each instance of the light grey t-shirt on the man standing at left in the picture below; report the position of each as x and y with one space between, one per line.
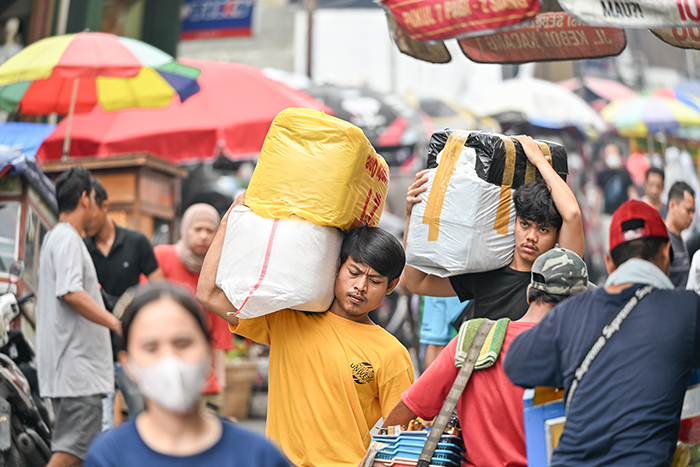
74 355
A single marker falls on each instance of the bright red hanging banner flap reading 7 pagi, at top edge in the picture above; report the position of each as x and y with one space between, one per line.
445 19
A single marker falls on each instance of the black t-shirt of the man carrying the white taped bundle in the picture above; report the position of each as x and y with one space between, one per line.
495 294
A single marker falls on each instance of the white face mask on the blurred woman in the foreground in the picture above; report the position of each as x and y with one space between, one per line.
172 383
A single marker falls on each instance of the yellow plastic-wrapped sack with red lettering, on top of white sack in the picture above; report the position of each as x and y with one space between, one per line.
319 168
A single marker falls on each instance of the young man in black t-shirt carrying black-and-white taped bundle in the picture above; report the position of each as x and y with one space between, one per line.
547 215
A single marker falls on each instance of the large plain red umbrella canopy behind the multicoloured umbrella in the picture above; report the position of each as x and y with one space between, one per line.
230 115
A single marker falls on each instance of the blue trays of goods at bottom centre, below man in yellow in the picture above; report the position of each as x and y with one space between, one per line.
402 447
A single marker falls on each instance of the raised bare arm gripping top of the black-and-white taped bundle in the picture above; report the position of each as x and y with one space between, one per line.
571 232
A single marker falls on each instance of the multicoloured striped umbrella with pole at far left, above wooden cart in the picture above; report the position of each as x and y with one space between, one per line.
75 72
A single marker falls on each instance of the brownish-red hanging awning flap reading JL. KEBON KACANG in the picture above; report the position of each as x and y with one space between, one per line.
551 36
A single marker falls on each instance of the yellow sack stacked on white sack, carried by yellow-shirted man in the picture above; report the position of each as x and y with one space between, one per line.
316 176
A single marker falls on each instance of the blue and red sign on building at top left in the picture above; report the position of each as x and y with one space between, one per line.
216 18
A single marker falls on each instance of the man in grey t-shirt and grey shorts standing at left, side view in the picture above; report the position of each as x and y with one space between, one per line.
74 352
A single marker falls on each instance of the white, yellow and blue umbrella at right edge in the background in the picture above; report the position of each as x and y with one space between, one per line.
641 115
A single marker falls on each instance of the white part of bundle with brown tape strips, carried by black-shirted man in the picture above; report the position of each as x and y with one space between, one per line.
467 241
